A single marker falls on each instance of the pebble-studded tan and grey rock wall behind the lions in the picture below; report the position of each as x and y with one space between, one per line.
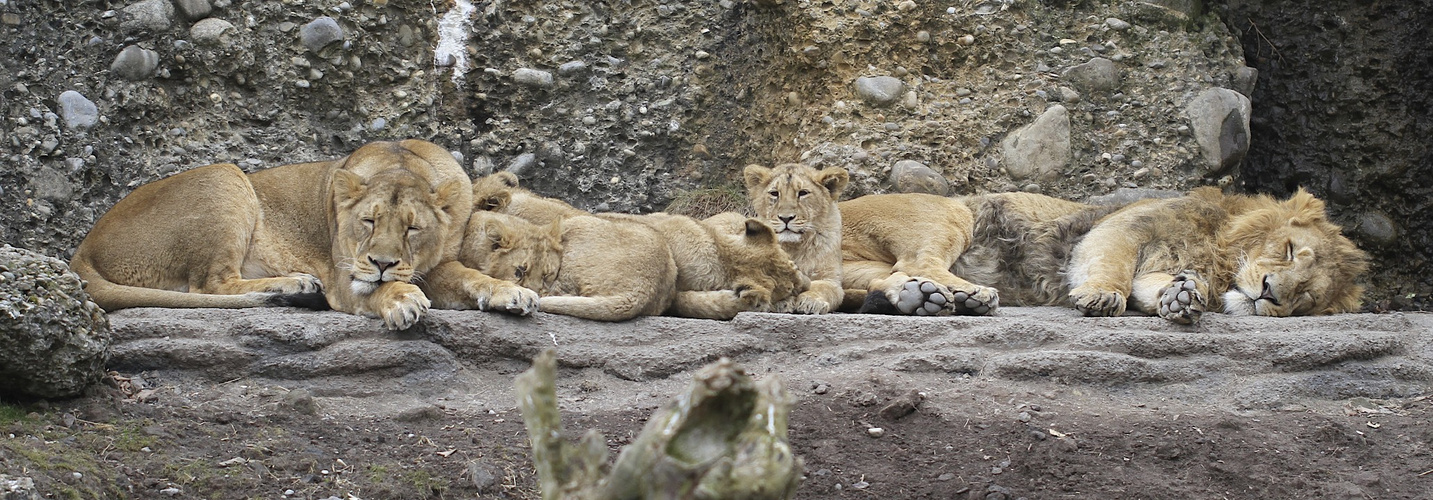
623 105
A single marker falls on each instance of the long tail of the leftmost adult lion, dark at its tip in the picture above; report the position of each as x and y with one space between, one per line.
114 297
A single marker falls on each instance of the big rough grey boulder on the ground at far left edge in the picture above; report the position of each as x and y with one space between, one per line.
57 342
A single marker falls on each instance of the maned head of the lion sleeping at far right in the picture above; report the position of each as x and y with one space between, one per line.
1292 261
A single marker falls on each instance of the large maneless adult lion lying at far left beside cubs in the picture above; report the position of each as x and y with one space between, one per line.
360 229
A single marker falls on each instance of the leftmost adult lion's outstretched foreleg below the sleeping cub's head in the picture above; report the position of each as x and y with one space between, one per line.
454 286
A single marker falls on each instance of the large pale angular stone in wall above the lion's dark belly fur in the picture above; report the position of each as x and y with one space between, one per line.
1041 150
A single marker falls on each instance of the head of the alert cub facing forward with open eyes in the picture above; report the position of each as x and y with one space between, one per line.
795 200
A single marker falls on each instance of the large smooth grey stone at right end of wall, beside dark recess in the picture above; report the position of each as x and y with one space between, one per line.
1220 122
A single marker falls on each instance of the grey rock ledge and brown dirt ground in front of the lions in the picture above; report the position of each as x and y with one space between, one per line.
1030 428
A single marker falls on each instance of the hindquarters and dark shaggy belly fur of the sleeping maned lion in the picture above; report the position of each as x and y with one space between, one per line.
934 256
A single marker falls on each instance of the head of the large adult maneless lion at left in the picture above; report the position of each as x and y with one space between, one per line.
392 227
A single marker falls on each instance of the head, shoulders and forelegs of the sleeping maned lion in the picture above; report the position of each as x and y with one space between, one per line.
1180 257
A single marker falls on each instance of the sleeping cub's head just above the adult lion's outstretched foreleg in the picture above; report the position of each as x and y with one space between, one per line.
514 250
